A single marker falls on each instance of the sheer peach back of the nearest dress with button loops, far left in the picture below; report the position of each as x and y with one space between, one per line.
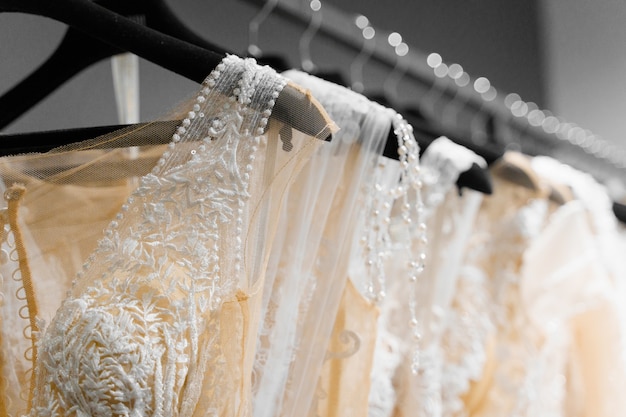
40 217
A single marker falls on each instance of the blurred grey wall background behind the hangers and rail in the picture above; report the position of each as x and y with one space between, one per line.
567 56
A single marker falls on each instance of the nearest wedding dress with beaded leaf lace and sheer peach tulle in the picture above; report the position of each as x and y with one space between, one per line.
162 317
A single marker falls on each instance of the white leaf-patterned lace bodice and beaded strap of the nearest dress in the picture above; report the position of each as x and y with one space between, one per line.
141 328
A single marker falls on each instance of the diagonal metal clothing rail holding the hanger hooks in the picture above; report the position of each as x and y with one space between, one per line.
538 131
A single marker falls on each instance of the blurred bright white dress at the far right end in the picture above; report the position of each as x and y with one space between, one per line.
588 275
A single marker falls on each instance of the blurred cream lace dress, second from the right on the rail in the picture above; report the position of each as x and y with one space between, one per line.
508 221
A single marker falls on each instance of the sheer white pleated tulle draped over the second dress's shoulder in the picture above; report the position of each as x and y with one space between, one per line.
322 213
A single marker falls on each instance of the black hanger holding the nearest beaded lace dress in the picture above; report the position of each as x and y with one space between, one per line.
293 105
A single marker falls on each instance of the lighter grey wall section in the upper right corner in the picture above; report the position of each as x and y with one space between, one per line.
586 70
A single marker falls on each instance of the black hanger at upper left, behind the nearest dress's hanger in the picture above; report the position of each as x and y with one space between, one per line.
77 51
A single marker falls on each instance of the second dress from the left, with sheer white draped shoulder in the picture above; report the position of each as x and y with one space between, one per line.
323 322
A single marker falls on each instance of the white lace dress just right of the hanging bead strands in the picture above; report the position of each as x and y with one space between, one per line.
397 388
